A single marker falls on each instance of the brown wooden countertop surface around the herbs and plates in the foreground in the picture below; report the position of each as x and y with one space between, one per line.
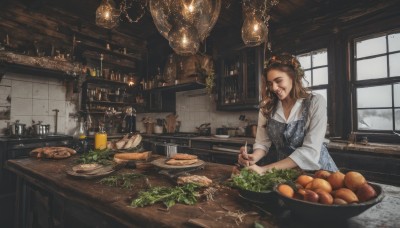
114 202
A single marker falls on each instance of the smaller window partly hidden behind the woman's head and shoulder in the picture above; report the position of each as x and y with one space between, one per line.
315 65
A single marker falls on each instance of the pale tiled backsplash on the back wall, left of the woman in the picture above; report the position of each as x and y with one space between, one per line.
194 108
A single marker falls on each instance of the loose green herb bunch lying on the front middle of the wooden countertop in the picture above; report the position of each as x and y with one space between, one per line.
186 194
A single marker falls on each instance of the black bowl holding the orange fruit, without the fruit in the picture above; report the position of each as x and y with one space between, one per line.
321 212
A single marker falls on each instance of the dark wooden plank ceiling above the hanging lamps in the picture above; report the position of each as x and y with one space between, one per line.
77 17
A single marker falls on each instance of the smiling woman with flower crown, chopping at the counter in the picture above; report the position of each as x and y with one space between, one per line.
290 118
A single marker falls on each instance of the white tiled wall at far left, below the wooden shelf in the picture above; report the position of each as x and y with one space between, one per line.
34 98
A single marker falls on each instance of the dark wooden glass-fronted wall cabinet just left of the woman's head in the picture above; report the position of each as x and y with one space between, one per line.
239 79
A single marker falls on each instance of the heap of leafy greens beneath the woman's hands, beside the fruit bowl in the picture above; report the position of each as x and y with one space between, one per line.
252 181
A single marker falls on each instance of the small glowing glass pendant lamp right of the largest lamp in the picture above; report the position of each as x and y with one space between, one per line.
254 30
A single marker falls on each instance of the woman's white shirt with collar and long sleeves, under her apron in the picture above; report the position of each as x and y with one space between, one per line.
306 156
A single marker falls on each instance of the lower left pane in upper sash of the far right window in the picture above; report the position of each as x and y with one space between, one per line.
372 68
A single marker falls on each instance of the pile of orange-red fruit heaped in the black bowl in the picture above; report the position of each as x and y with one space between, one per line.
330 188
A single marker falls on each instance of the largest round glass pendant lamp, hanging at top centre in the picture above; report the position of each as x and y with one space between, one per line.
185 23
